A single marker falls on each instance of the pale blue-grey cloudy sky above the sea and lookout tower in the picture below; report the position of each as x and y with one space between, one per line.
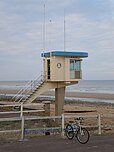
89 26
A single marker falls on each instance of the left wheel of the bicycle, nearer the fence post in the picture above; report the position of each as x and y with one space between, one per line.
69 132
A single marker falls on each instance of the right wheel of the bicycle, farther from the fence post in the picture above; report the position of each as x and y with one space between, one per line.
83 135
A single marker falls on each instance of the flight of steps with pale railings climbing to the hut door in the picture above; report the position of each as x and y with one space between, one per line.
28 92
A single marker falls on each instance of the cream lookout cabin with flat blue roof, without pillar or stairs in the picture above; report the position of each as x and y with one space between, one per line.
63 67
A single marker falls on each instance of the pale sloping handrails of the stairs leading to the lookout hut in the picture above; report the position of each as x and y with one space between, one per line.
26 89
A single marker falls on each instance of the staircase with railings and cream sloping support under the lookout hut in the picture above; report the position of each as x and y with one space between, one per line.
34 88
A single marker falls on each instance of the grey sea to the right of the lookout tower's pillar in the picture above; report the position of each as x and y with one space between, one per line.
93 86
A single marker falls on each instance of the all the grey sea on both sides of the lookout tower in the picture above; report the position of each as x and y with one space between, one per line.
89 86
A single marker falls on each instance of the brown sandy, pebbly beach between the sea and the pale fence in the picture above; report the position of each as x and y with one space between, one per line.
79 108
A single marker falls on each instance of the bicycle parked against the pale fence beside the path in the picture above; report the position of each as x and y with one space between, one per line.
75 129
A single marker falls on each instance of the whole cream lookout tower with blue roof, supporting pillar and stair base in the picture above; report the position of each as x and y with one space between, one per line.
60 70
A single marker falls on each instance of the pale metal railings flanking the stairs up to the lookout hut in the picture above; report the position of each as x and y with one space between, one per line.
28 89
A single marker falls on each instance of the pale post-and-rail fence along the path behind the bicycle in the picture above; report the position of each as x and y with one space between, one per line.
23 130
